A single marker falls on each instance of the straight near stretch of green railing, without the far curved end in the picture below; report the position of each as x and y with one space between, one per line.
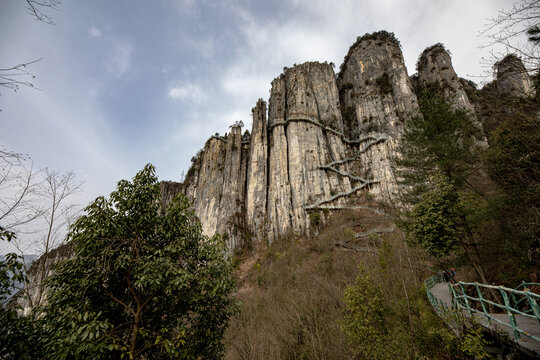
472 298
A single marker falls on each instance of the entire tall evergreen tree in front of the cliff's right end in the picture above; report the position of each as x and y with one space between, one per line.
439 157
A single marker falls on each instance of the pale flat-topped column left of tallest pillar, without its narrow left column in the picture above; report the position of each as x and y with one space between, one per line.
312 105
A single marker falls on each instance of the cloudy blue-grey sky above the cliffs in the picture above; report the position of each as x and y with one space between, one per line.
124 83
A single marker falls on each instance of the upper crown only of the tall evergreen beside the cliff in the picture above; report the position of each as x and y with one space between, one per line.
438 141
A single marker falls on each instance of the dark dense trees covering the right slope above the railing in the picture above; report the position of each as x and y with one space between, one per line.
491 210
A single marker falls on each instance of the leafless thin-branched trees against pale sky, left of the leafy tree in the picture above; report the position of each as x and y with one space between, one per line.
37 207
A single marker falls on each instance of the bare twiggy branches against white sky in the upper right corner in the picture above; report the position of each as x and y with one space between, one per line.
517 31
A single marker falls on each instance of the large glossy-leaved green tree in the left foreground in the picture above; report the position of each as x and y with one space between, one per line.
142 284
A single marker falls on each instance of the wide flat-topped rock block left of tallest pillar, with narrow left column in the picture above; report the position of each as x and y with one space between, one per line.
306 131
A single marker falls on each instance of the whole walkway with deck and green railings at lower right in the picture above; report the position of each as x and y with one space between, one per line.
516 313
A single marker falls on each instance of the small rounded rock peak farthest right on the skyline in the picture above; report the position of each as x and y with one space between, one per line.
512 77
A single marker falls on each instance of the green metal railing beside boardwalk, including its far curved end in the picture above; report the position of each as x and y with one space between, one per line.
471 298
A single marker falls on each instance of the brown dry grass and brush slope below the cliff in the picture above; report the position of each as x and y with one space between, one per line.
291 293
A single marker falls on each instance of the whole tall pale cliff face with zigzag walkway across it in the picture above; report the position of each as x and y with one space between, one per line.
324 144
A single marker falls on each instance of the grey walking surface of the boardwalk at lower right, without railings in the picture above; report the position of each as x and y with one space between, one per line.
442 293
